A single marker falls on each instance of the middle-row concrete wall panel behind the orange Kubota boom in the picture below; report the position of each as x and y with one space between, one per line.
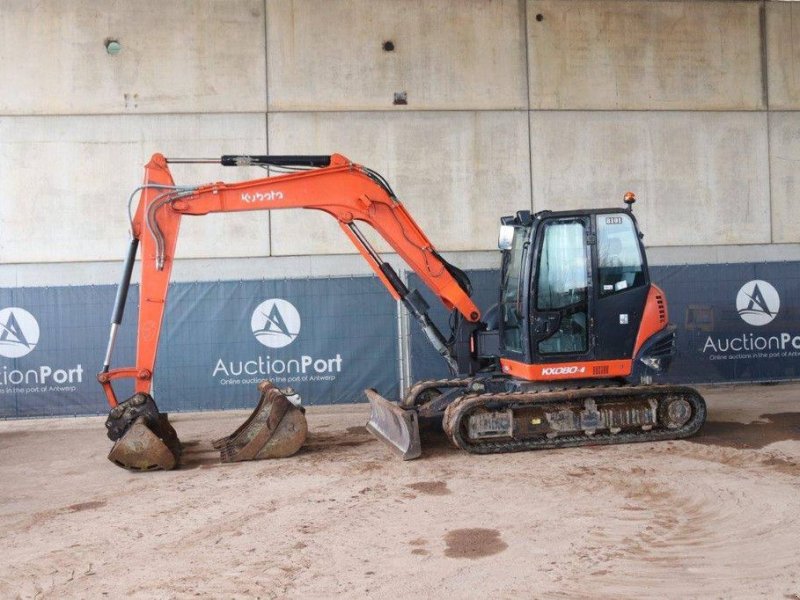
456 172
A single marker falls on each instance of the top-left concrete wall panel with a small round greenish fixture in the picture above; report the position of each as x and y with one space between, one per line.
179 56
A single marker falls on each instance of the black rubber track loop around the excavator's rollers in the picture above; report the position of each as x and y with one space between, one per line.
459 410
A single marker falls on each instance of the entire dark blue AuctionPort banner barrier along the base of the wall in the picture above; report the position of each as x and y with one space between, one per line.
736 322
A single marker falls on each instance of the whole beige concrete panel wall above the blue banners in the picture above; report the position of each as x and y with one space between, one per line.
694 105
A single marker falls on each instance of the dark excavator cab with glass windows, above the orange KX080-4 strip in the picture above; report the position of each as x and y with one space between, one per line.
574 288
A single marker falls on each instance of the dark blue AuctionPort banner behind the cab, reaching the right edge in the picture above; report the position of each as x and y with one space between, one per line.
736 322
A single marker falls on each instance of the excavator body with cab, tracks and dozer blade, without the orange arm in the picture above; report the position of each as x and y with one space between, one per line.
568 354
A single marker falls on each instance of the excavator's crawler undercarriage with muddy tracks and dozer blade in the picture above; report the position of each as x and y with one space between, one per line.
483 421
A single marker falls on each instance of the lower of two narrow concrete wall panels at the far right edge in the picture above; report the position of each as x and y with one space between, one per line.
785 171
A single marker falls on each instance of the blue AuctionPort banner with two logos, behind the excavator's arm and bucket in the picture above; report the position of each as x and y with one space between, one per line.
329 339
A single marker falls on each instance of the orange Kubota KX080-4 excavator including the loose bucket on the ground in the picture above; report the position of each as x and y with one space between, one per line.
567 357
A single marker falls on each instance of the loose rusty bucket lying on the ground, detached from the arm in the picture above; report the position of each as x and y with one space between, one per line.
276 429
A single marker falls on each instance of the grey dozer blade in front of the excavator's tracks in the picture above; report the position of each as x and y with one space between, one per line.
394 426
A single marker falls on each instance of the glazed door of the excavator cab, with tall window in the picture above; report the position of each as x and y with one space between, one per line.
561 328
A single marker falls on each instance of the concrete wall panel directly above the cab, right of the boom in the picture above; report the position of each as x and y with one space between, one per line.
701 178
